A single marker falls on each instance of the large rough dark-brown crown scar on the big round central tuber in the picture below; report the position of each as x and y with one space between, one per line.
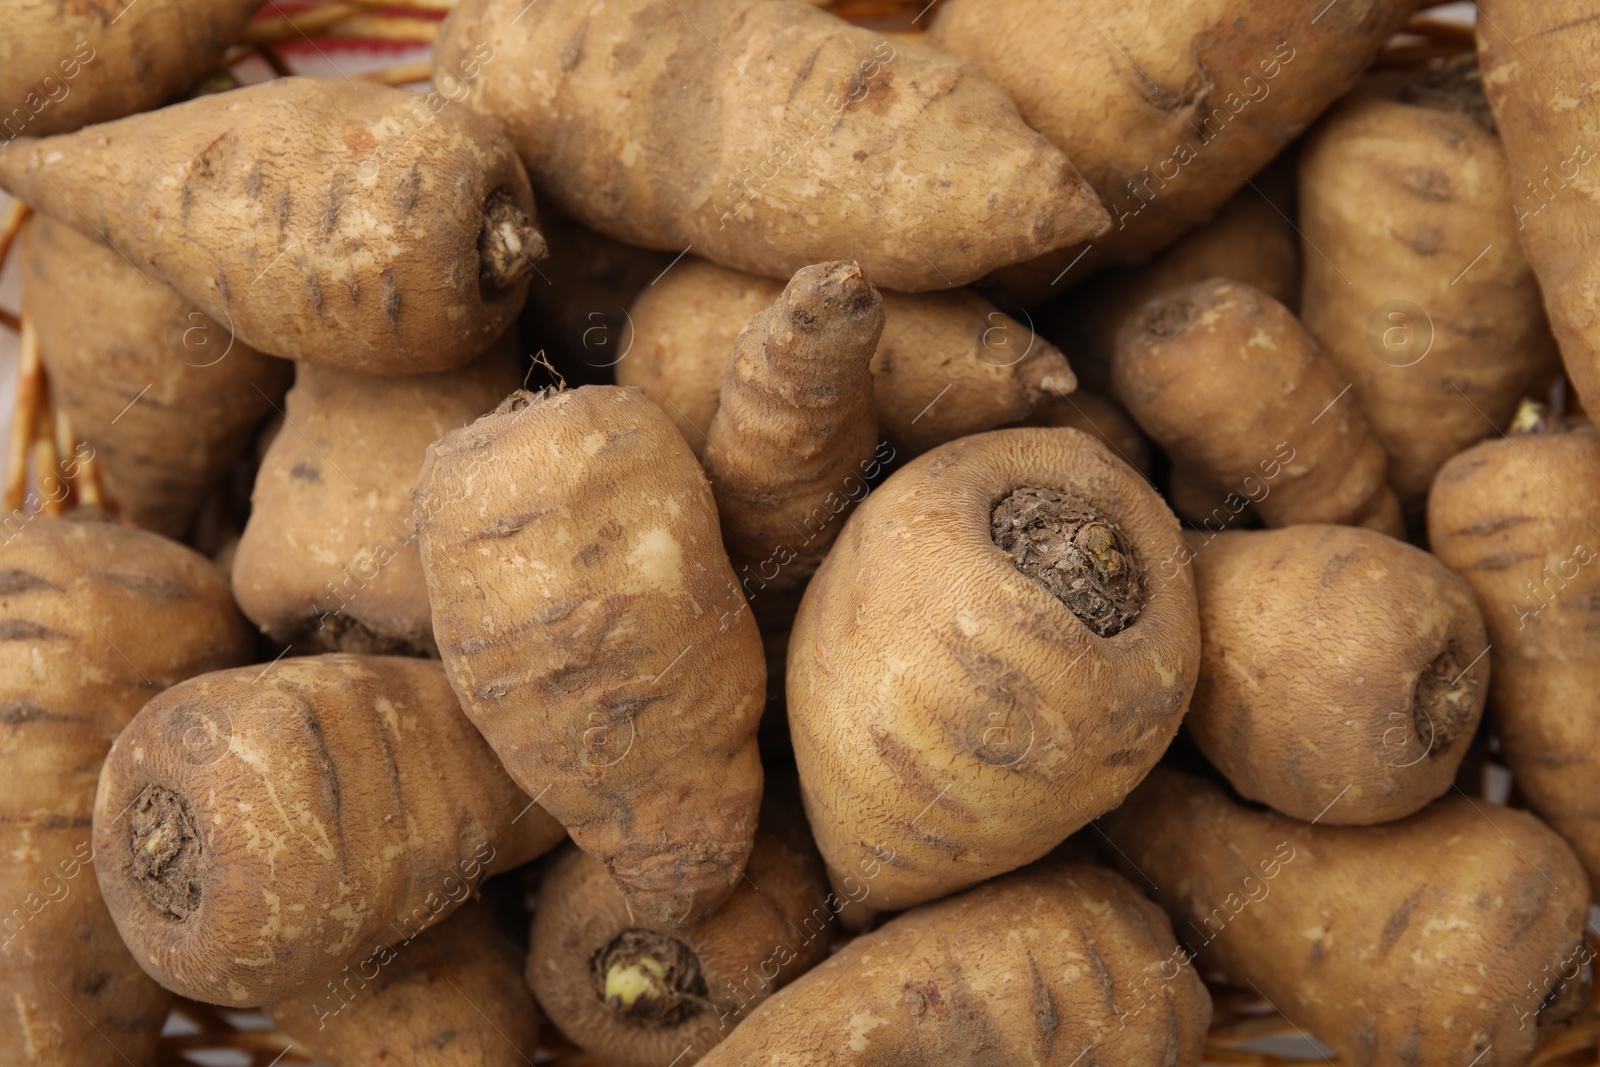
1074 553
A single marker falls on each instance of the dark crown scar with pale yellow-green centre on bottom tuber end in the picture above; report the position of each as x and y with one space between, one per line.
649 978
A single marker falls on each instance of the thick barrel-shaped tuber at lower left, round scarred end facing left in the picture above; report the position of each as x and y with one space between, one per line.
334 807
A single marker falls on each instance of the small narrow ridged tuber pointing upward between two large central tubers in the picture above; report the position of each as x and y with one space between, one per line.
796 431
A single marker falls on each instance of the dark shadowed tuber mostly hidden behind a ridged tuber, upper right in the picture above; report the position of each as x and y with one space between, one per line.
1249 241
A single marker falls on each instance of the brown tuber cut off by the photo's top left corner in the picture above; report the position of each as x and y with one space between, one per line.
68 66
